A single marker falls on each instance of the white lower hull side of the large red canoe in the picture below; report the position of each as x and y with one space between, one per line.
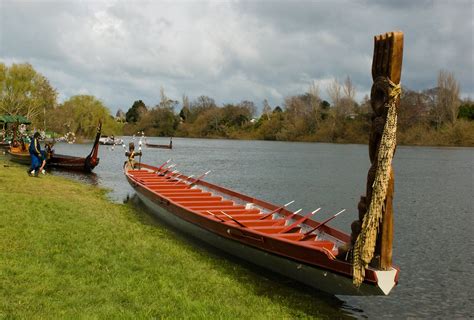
320 279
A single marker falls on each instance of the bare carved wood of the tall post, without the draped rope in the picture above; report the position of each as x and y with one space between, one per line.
386 74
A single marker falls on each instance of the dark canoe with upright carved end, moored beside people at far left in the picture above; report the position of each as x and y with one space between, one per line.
66 162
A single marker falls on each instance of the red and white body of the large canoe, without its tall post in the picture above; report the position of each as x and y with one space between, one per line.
260 232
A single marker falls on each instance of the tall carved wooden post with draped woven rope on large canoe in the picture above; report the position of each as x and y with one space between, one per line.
372 234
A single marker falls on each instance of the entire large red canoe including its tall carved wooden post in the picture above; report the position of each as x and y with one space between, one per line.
288 242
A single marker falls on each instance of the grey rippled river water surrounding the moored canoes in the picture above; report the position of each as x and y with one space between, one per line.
433 207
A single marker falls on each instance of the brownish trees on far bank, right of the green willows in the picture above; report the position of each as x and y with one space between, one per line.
436 116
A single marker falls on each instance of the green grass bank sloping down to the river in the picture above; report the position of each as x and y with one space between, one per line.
68 252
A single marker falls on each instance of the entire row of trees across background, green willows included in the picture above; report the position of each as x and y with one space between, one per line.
436 116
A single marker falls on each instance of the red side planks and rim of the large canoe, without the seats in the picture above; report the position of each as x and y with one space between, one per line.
319 257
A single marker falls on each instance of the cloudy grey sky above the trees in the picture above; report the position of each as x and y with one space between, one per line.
121 51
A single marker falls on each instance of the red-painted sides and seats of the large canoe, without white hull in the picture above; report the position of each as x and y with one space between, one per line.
269 235
